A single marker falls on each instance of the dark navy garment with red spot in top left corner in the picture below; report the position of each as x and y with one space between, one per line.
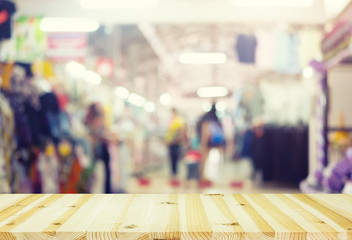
7 9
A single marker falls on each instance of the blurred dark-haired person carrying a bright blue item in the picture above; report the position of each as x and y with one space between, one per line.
211 135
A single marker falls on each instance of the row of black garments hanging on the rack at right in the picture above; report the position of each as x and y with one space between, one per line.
282 154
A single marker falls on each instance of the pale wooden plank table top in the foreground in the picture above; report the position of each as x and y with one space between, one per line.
175 216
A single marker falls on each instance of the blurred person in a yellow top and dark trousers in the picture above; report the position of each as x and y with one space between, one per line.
175 137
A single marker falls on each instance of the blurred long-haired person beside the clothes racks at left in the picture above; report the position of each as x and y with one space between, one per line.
100 138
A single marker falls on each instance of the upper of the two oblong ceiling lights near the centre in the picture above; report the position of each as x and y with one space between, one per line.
202 58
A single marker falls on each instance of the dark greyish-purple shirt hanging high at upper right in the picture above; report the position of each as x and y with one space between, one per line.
246 46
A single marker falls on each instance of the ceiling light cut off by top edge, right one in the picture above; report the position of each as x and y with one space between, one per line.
273 3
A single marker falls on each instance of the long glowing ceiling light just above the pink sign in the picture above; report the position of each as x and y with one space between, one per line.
68 25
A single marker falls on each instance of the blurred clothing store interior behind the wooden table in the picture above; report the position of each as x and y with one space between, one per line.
175 96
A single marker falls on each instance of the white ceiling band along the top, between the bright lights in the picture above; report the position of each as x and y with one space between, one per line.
179 11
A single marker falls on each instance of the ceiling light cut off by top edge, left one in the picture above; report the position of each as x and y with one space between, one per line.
119 4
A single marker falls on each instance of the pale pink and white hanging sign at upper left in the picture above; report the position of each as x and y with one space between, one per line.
67 46
